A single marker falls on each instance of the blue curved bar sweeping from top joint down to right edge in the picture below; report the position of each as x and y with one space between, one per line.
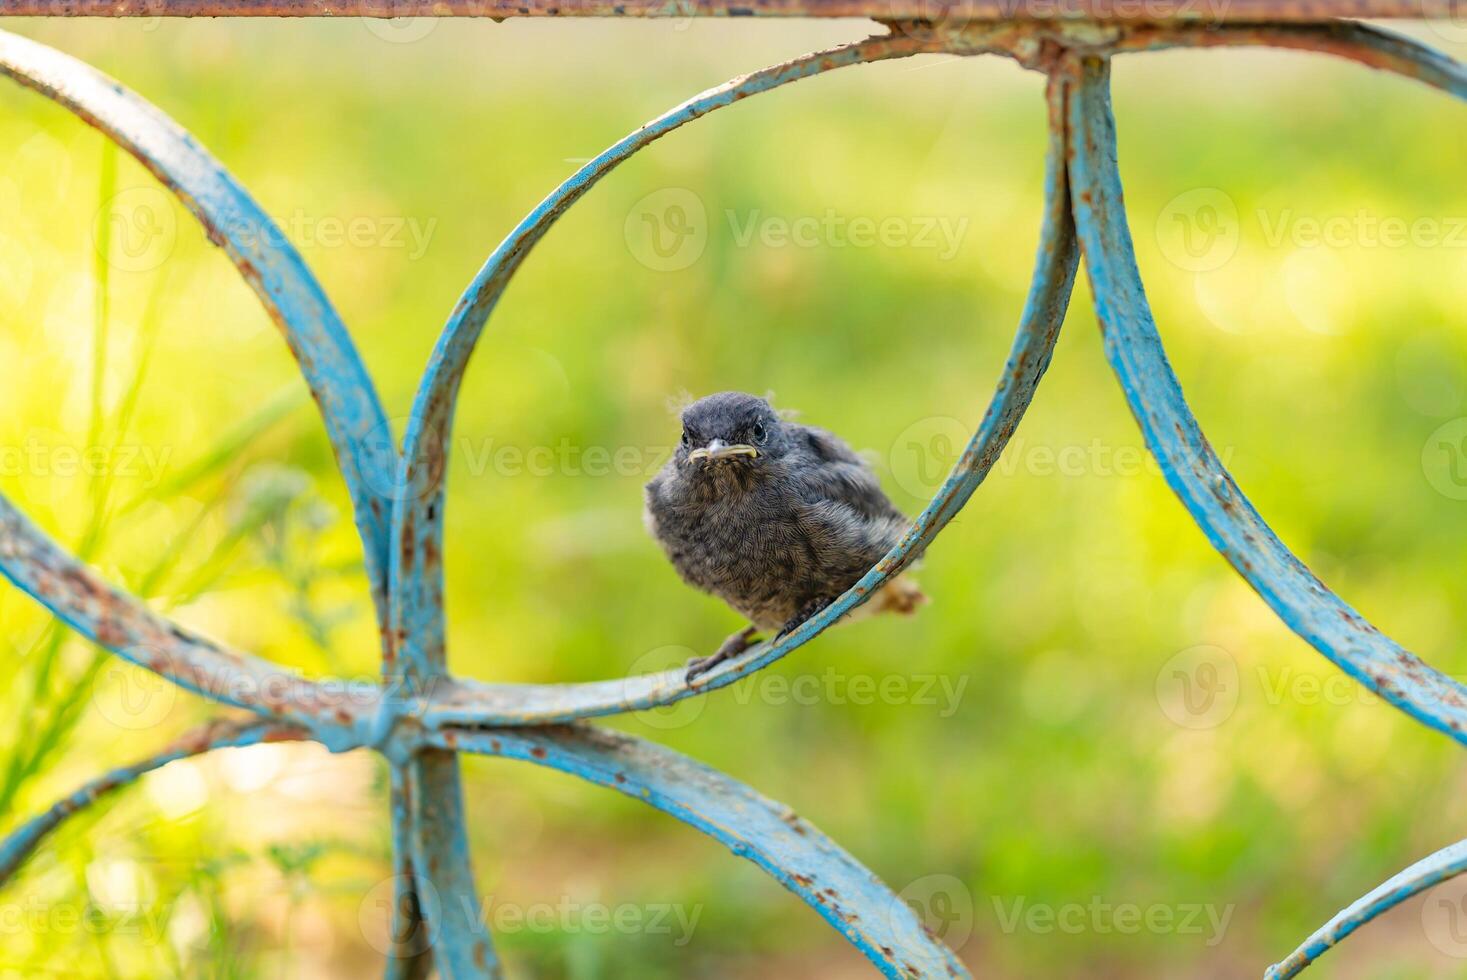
1193 470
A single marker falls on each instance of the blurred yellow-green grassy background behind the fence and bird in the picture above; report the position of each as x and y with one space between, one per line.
1038 737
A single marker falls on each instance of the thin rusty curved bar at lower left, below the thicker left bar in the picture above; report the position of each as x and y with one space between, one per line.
218 734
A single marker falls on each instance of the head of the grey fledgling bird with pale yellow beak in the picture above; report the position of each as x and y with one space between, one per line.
730 434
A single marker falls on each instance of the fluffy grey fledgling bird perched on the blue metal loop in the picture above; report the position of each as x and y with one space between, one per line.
772 517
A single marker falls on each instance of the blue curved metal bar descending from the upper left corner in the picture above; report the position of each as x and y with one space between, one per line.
354 419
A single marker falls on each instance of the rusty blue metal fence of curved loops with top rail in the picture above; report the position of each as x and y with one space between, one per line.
422 717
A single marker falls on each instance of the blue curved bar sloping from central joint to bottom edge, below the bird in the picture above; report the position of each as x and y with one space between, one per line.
871 916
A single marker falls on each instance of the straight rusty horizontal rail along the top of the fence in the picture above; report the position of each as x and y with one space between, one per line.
950 11
